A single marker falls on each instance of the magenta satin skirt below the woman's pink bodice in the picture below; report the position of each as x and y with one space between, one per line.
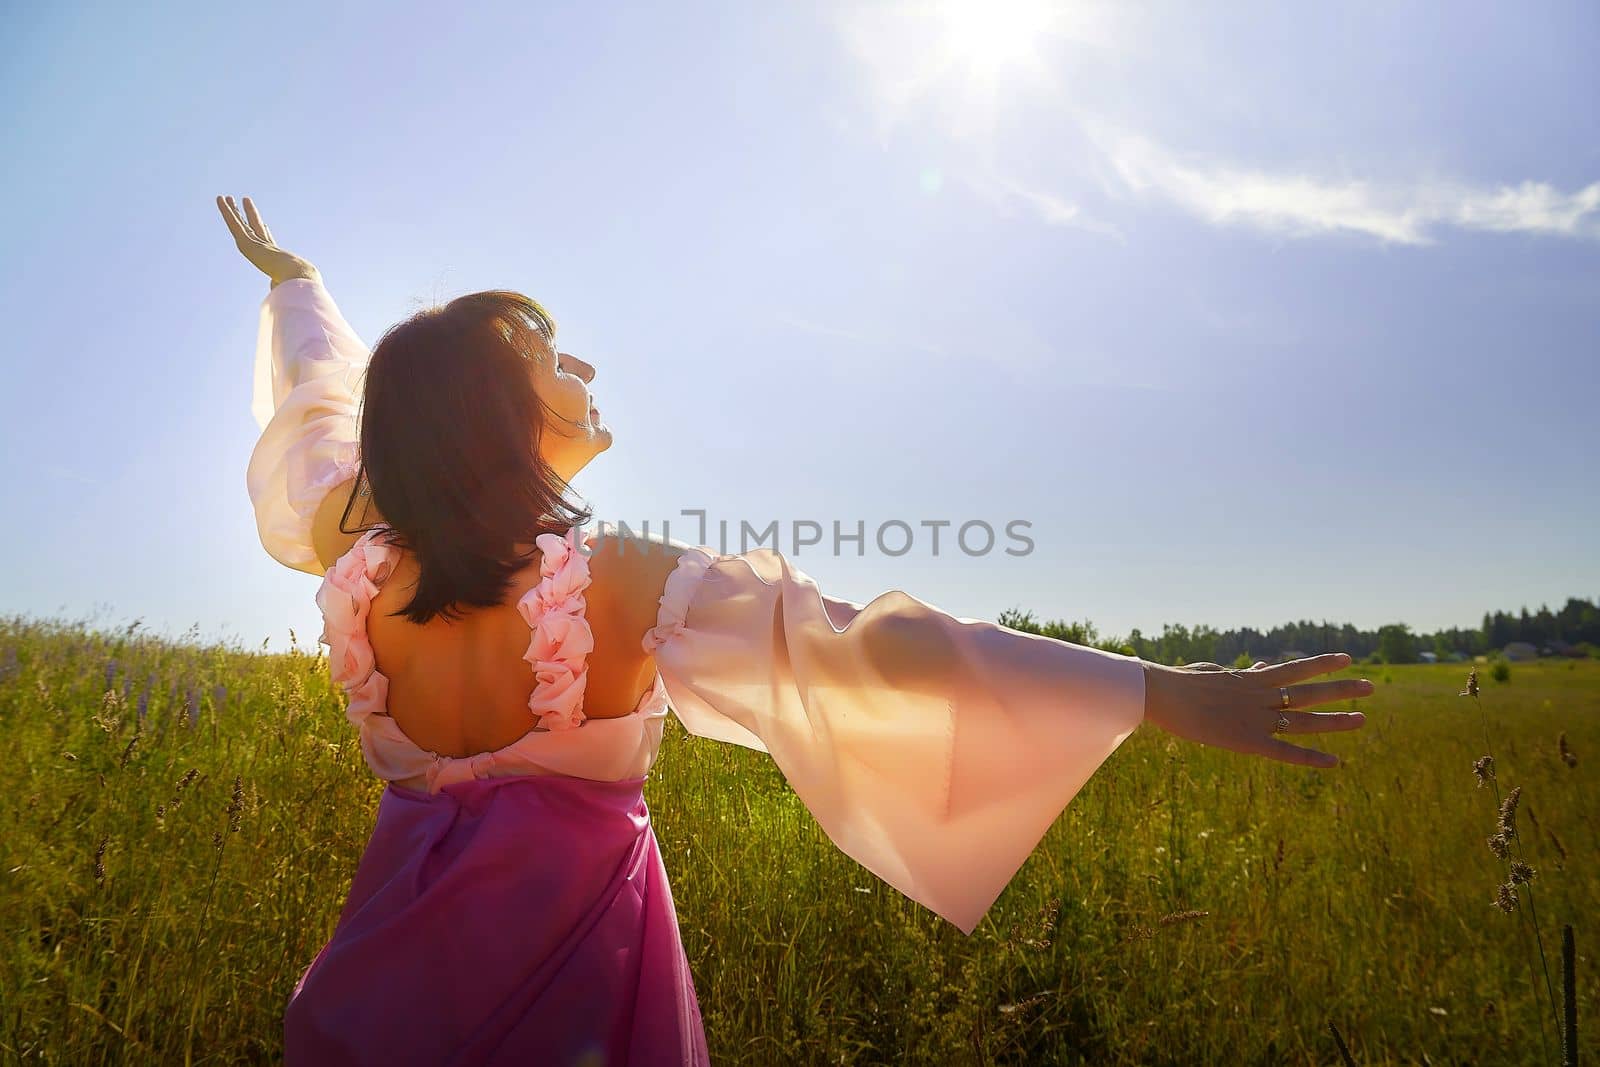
503 921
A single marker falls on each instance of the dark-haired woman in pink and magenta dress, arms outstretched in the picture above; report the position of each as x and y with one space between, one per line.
511 905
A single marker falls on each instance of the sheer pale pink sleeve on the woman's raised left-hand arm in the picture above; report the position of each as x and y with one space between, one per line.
308 388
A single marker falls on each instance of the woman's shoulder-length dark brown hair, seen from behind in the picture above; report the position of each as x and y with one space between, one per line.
450 433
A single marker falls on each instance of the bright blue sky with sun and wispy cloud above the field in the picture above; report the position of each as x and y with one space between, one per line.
1265 314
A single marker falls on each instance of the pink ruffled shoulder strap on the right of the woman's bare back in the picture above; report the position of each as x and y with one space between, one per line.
562 641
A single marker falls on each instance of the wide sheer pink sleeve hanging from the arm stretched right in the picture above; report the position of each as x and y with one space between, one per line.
934 751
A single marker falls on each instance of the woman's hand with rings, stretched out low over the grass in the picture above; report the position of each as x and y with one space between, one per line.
1239 709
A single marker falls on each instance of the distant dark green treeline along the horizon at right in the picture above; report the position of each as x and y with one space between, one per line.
1575 626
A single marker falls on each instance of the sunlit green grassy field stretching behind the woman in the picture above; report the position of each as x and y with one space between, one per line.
1361 895
